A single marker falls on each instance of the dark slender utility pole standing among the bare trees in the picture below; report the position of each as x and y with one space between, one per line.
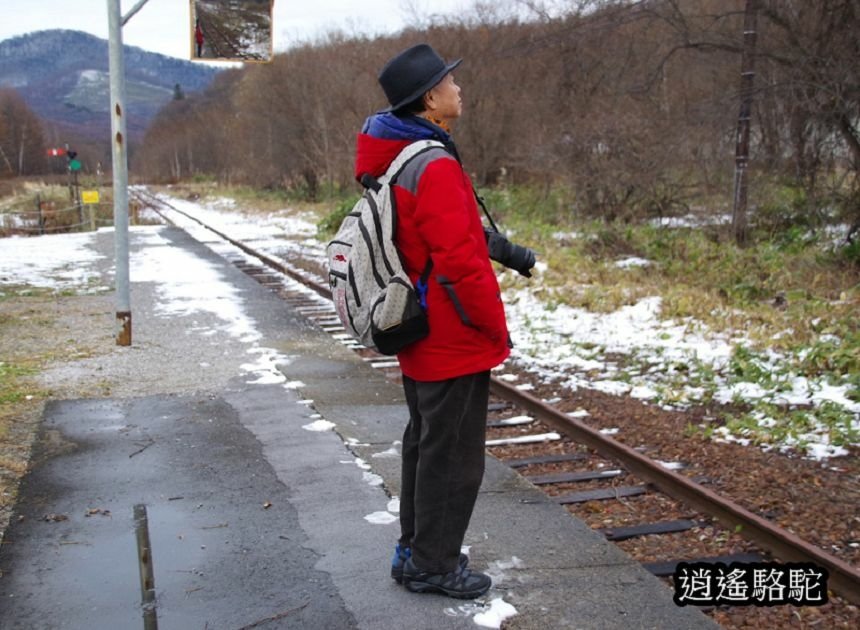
742 147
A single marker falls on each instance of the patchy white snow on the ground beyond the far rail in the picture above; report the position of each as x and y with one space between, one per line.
661 361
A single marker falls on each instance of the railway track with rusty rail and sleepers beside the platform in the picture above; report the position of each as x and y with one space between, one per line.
574 453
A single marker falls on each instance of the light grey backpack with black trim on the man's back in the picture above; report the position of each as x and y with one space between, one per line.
372 294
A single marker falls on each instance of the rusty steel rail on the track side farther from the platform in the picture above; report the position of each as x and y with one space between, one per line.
843 578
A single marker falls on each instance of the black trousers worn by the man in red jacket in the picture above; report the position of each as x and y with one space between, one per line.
443 465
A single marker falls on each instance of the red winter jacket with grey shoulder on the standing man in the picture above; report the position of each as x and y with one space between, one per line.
438 218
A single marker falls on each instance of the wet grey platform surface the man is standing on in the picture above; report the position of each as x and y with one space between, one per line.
255 518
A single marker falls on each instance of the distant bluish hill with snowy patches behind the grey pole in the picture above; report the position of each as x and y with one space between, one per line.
64 77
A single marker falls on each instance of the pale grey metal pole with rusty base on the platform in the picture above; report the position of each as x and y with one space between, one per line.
120 166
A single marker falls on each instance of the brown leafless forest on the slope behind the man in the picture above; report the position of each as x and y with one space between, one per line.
615 110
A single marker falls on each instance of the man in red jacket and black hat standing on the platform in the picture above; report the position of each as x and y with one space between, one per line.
446 375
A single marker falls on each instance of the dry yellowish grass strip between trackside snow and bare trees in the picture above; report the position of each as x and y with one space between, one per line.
782 294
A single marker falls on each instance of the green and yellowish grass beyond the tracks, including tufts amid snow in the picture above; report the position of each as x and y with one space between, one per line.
788 291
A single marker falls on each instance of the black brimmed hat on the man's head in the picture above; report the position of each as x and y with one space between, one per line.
412 72
